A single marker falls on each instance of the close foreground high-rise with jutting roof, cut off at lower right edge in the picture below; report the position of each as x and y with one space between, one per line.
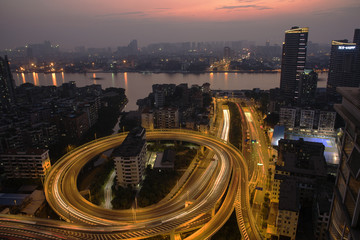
345 210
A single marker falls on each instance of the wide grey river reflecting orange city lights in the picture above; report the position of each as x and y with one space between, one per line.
138 85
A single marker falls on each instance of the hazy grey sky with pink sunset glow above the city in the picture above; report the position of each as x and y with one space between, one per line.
113 23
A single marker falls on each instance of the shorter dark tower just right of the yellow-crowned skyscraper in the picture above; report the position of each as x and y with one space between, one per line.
307 87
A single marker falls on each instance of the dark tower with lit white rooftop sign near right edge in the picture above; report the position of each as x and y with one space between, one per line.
344 69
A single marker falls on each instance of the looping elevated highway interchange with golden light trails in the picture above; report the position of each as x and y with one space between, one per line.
215 187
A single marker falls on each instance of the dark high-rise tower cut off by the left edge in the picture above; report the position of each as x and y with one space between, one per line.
7 85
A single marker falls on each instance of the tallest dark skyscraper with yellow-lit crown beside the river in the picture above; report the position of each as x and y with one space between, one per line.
293 62
